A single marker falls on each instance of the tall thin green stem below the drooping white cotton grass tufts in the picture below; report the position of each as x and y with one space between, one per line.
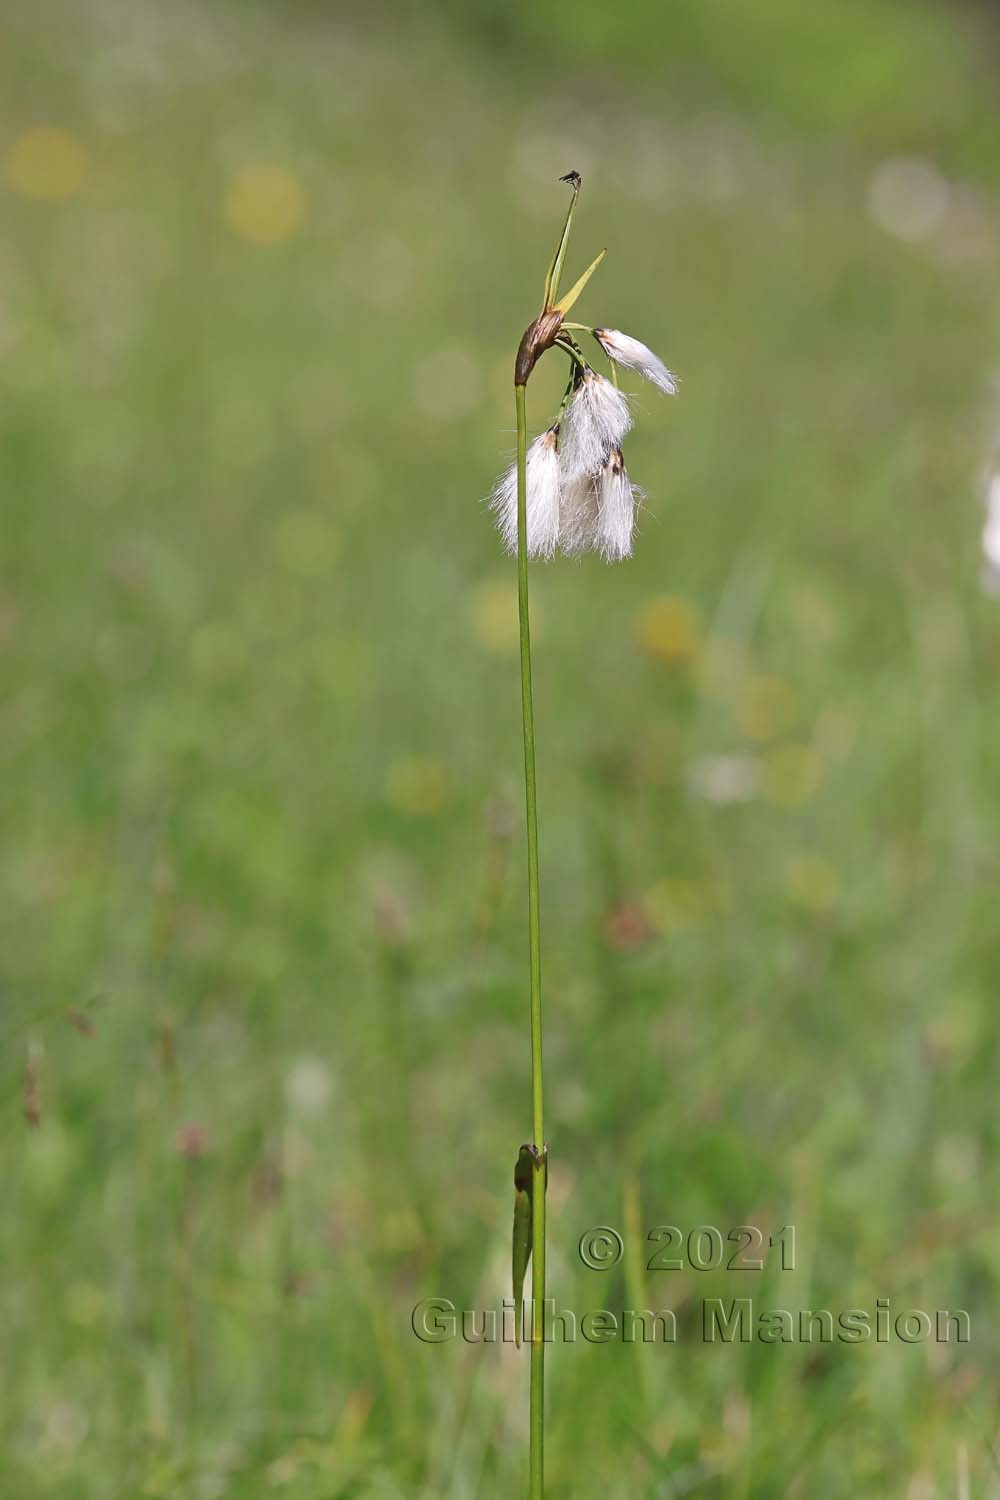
536 1462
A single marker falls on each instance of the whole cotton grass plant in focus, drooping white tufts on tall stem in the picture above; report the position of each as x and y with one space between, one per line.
569 493
